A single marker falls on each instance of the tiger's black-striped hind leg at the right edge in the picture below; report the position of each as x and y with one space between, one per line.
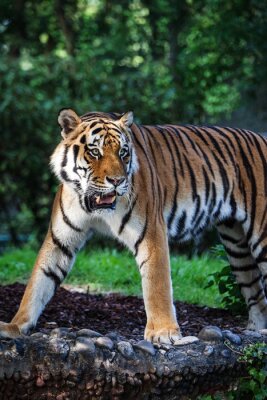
247 272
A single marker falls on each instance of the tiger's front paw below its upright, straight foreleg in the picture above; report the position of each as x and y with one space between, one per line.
167 335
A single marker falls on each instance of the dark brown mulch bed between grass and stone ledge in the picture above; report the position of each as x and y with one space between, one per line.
112 313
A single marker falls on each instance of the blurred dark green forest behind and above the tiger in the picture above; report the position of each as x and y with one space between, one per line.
188 61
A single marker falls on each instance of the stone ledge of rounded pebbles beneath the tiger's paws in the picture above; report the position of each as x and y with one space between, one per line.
67 364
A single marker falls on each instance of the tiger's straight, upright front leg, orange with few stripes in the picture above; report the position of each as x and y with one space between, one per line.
152 256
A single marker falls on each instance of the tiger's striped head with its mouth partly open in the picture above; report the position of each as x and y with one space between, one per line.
96 157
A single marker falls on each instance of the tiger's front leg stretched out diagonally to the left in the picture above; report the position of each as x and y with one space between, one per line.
53 263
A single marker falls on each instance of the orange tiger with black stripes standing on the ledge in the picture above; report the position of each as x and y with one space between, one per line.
146 185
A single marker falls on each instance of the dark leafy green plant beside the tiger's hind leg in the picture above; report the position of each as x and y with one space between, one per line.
232 298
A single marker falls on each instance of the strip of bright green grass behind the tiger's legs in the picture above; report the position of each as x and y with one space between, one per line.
110 270
